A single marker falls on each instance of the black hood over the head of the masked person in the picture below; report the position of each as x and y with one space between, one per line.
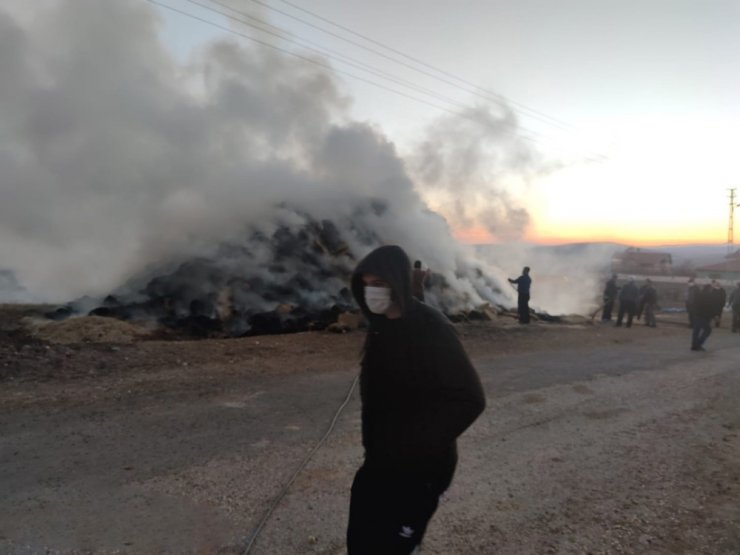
391 264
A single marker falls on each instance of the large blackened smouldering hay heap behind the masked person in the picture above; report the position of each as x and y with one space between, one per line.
291 279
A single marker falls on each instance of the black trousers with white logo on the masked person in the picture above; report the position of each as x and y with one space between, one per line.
388 515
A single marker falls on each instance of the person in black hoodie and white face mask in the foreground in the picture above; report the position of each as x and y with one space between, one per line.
419 392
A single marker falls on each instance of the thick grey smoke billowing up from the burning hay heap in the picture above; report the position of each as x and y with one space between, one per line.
118 162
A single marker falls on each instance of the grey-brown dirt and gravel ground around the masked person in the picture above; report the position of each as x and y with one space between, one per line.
596 440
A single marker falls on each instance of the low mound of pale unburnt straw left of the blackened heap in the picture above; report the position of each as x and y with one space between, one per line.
86 329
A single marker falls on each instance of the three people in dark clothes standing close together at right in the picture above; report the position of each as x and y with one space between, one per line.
634 301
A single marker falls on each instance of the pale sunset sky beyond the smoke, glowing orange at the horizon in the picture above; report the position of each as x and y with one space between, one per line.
633 106
